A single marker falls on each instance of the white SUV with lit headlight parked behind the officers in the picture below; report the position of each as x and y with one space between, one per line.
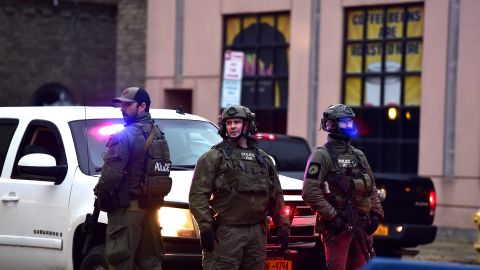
50 161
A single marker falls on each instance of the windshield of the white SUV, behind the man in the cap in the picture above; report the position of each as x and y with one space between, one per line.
187 140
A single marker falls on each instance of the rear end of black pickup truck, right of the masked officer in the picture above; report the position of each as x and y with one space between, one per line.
409 203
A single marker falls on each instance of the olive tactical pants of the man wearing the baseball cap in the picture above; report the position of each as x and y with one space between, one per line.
133 239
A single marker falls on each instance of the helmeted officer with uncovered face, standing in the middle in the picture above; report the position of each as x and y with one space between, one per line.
234 187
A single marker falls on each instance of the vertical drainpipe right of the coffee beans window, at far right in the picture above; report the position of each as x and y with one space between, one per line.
451 90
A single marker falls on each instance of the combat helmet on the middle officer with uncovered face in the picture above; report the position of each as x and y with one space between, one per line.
237 111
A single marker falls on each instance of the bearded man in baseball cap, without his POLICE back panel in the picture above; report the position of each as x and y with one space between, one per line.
133 239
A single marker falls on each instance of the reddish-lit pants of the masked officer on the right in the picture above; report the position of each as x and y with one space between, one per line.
343 251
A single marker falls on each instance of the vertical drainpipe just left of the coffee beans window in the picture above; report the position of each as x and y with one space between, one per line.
312 126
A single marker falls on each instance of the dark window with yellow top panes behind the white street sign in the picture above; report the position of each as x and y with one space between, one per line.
263 41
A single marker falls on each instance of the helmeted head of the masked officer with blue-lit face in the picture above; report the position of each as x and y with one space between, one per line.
342 121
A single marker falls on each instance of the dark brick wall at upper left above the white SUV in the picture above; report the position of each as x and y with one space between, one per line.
72 44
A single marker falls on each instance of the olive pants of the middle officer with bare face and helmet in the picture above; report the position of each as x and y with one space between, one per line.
238 247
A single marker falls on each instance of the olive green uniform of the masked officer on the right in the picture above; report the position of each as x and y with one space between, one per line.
322 192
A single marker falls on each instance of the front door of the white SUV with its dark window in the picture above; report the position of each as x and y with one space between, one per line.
34 205
